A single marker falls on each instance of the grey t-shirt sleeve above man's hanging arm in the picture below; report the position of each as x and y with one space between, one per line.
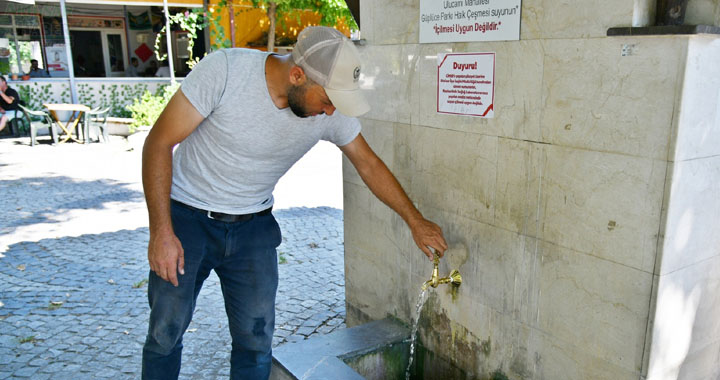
205 85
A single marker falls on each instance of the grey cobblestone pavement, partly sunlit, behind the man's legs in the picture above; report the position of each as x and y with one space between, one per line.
73 268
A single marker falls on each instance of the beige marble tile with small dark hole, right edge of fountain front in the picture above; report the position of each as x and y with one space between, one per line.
603 204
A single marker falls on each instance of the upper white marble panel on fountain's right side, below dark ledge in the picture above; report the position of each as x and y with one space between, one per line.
698 133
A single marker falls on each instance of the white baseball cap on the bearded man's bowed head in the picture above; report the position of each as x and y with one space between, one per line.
331 60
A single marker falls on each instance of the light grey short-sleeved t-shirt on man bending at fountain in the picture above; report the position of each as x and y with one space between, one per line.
233 160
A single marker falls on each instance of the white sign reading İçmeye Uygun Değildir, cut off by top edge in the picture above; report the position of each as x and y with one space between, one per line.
469 20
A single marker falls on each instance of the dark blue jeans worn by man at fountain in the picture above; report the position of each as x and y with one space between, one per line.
244 257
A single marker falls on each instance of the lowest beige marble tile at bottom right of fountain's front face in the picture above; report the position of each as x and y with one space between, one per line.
587 299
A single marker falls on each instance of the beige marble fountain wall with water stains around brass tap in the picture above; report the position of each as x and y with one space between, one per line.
584 217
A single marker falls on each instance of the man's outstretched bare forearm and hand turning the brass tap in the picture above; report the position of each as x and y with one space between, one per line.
385 186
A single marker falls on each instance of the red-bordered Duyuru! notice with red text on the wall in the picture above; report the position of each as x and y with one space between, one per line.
466 84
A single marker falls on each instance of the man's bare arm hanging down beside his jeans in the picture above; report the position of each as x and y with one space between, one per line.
177 121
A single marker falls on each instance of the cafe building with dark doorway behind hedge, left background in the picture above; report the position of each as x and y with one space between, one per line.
104 37
